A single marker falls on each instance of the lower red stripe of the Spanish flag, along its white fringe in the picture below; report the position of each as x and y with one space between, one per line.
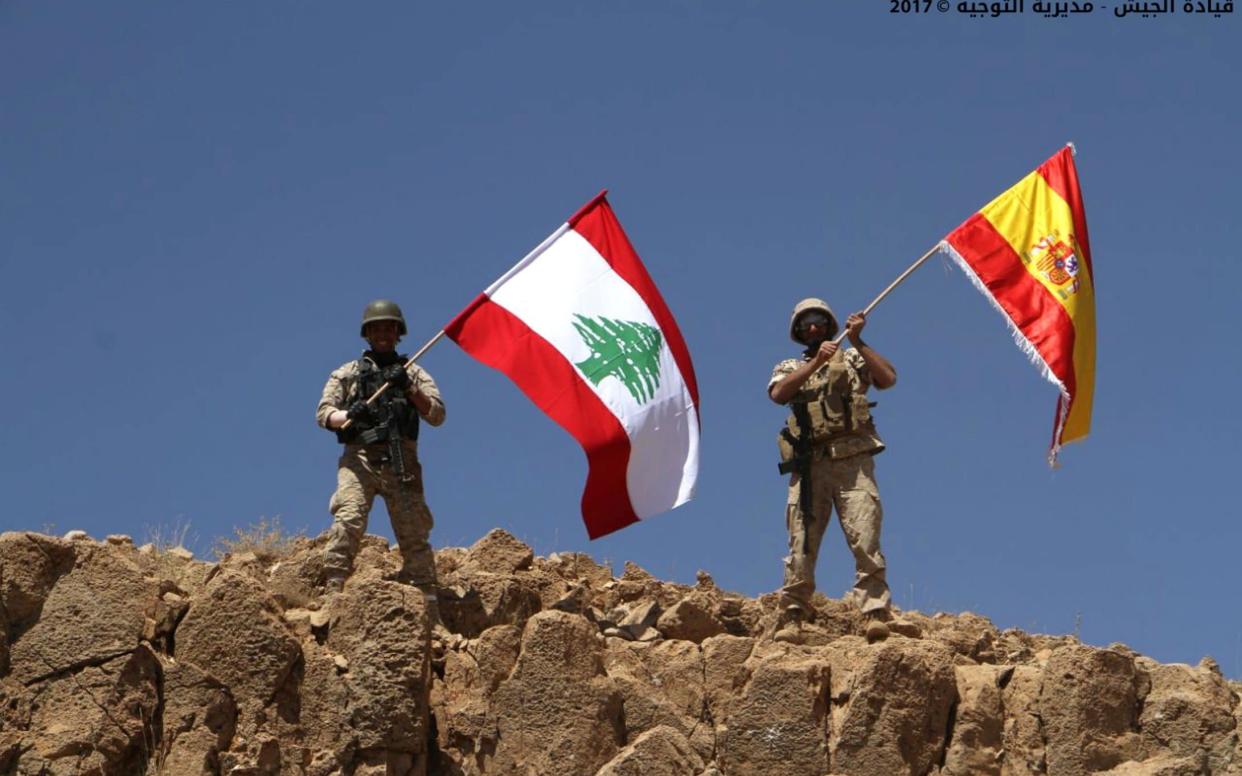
1029 305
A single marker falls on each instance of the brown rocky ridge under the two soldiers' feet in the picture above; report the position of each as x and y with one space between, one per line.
117 660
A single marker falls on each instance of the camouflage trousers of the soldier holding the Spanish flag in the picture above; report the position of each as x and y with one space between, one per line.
849 485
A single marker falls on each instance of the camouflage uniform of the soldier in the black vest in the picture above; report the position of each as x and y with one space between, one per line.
365 472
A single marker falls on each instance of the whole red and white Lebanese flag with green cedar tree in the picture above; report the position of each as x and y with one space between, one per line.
581 328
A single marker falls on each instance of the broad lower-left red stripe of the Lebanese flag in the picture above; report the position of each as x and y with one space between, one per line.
500 340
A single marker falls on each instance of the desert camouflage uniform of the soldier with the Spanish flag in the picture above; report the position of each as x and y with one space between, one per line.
843 475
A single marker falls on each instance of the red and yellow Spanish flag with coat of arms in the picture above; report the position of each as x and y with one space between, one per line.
1028 253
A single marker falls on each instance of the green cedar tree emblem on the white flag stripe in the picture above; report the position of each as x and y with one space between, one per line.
623 350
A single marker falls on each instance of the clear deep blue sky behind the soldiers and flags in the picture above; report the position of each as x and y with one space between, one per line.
197 201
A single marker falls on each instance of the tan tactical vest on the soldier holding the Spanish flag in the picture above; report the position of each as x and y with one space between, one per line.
832 413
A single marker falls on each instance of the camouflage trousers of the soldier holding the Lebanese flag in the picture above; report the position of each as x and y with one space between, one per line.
362 475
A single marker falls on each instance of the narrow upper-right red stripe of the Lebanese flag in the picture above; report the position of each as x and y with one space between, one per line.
601 228
